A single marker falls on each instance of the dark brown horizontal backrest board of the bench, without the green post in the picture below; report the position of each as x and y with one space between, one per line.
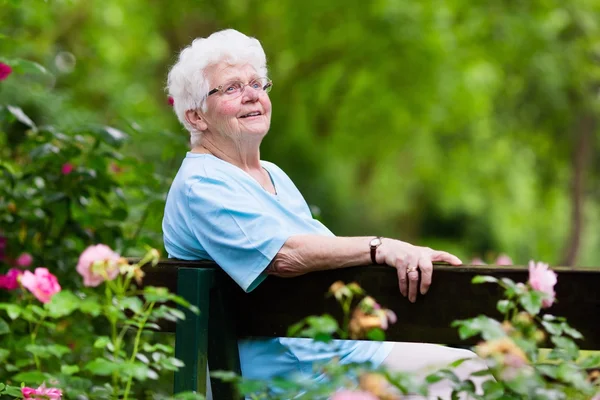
278 303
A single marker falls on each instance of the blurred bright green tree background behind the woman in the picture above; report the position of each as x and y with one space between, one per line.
468 126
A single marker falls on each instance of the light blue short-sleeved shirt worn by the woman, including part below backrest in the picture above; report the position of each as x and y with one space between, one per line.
216 211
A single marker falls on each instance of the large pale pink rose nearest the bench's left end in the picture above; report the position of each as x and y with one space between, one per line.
97 264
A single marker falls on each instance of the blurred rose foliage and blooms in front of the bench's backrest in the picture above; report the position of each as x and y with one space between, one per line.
510 349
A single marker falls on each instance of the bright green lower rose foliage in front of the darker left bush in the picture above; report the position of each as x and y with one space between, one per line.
112 365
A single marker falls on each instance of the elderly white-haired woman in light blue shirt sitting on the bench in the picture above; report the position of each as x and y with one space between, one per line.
246 214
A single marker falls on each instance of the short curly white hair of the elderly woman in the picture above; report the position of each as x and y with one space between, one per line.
187 82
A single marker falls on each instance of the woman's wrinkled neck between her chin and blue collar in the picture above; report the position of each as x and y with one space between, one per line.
243 154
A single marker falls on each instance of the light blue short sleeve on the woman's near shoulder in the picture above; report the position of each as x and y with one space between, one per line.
235 230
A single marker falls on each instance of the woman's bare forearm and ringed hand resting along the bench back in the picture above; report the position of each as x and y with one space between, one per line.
305 253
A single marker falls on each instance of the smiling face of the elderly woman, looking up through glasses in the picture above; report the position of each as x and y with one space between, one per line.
229 116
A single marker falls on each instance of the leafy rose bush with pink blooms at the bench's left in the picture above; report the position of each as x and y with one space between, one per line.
60 191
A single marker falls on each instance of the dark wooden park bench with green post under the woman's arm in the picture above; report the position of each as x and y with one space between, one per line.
227 313
